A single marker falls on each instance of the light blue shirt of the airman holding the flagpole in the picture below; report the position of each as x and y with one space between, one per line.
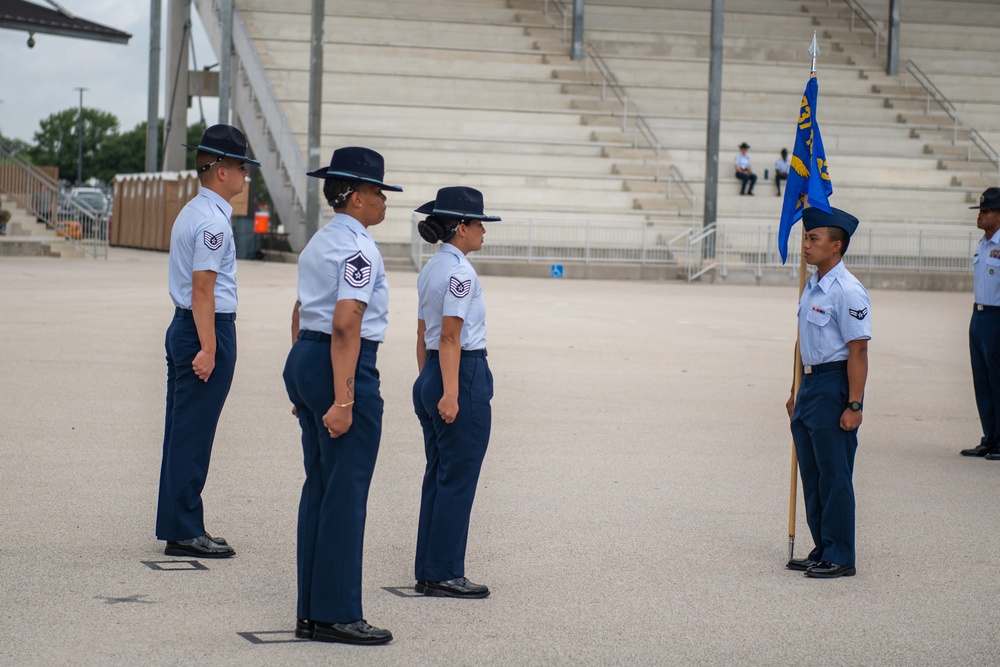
832 312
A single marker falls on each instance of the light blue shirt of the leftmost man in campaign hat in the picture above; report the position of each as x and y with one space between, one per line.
202 240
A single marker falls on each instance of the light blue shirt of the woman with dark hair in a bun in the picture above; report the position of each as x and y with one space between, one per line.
448 285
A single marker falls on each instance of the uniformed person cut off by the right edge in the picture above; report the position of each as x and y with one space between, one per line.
984 330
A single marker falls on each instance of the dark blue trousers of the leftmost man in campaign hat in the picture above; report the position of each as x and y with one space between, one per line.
193 410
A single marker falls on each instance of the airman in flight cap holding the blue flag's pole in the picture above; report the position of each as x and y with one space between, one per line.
834 330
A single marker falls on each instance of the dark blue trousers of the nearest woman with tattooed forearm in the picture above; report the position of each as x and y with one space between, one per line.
334 502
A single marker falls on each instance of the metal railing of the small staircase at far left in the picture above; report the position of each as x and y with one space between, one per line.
41 195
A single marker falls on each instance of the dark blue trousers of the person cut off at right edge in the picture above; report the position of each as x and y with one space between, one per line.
984 349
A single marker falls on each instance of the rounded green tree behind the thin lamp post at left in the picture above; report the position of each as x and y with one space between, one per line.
58 137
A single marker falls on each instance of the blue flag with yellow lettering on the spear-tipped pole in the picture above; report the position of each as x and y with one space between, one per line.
808 179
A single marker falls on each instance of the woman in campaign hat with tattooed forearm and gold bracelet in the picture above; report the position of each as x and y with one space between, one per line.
334 385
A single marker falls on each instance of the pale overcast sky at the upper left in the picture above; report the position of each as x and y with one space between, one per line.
40 81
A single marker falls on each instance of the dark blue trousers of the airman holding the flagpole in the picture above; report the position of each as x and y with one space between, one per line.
826 463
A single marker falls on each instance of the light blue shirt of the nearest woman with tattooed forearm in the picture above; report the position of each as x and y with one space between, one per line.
341 261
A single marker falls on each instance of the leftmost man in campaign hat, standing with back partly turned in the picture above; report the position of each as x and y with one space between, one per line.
200 341
